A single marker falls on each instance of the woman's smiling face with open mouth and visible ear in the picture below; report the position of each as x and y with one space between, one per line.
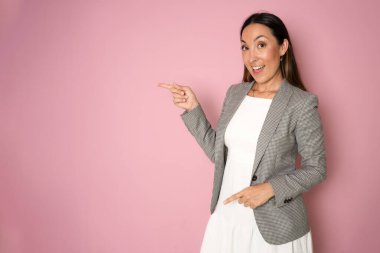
261 54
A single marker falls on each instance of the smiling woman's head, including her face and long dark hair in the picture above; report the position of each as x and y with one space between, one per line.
264 40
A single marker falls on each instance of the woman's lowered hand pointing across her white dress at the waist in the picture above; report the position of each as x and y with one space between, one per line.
253 196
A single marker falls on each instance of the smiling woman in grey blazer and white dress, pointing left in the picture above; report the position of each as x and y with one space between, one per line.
257 203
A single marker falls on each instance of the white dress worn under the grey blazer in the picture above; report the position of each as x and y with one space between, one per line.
232 227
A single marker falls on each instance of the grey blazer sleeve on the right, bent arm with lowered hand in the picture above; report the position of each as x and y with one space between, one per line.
311 147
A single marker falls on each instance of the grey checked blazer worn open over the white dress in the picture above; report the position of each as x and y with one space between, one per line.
292 125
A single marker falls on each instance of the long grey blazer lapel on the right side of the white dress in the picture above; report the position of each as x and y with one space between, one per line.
276 109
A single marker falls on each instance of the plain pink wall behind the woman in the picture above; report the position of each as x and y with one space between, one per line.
94 156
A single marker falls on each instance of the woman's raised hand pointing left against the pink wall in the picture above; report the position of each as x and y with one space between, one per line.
183 96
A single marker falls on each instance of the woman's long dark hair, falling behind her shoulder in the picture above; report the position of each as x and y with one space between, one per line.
288 64
